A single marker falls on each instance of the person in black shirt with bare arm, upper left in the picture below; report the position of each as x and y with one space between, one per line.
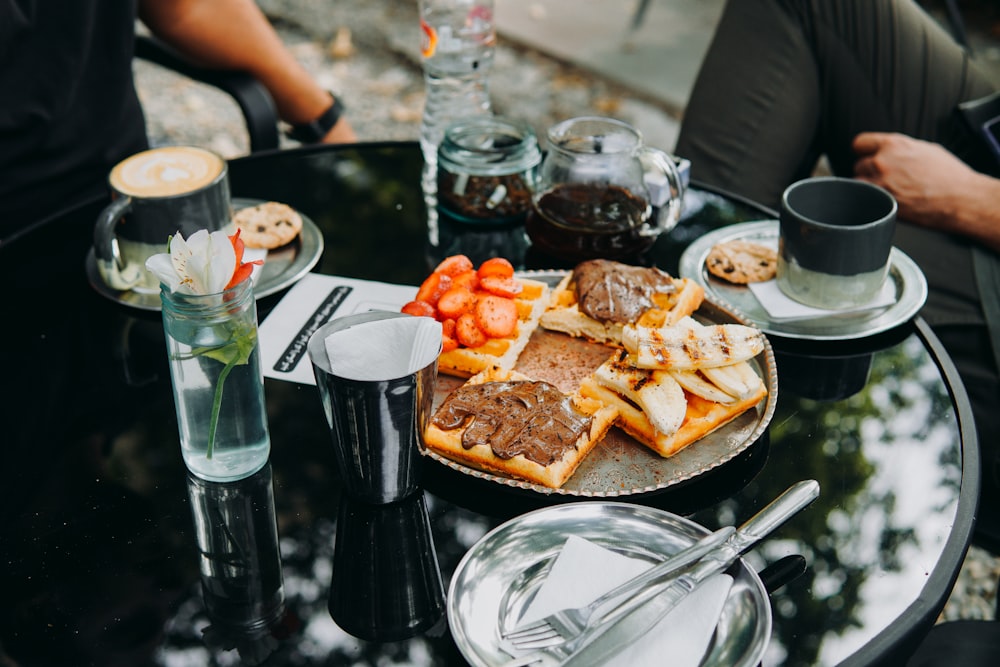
69 110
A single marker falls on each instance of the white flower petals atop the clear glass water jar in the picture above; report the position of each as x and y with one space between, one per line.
202 264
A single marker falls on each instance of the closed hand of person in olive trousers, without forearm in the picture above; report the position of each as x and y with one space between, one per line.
927 181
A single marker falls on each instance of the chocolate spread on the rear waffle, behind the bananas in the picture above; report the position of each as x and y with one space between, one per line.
613 292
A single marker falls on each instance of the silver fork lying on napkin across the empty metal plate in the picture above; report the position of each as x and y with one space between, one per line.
567 623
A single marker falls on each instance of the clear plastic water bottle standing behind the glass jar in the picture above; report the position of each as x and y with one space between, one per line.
458 43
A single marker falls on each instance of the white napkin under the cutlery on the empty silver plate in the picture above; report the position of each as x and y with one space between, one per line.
583 571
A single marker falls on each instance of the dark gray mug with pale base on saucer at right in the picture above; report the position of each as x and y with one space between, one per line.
835 242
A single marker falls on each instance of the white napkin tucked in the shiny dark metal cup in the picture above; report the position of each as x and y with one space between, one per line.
384 349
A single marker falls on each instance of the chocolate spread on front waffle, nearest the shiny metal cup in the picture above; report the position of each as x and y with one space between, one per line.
533 419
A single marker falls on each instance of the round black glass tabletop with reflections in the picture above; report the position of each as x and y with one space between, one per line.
110 554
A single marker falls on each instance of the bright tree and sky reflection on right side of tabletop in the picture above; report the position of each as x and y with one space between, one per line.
858 532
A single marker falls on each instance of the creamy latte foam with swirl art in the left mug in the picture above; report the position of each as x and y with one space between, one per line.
166 172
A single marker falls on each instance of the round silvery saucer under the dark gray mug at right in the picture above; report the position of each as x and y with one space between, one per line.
905 277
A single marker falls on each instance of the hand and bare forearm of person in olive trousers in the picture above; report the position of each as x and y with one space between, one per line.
932 187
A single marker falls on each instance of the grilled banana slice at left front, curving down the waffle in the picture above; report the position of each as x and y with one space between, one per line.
658 394
